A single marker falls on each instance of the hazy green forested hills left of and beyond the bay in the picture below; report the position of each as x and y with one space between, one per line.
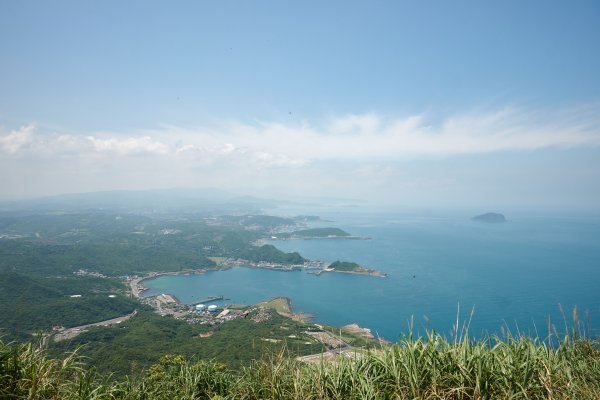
42 255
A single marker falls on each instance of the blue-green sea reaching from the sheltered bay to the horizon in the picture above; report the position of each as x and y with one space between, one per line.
515 274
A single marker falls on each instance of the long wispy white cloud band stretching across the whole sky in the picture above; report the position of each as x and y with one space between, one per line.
353 137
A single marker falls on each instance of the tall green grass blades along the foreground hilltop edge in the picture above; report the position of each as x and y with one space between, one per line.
428 367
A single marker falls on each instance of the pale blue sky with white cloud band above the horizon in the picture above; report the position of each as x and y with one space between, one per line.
490 105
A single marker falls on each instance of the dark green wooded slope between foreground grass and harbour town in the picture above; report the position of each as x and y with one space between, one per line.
134 345
